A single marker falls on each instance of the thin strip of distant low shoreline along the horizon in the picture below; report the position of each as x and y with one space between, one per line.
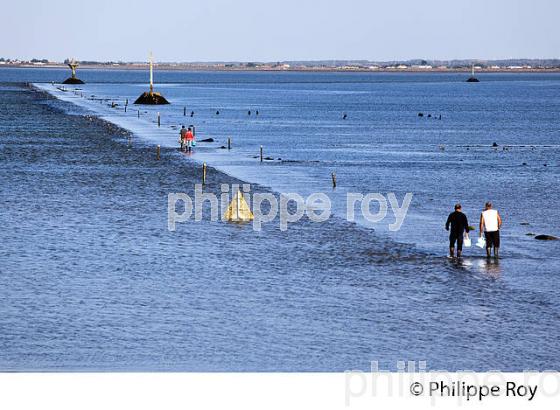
201 68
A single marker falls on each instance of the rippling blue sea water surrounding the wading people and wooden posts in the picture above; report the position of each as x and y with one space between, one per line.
92 279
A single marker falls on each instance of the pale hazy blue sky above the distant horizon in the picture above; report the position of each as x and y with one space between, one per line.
261 30
